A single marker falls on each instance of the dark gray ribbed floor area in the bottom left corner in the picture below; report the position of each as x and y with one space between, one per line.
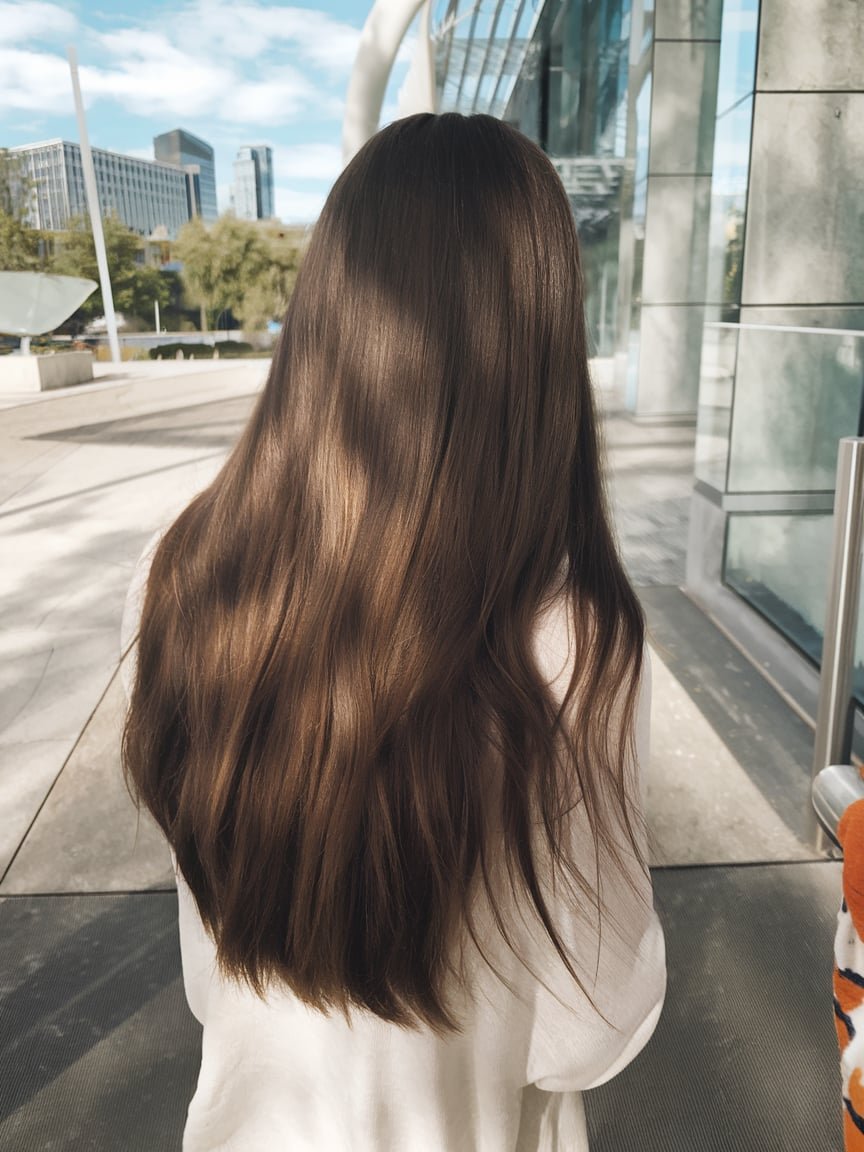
98 1050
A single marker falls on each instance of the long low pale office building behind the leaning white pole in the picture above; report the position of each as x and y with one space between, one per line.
145 195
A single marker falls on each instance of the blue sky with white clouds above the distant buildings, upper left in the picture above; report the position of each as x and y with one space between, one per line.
246 73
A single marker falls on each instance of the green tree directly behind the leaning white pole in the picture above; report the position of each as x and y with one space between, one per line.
134 287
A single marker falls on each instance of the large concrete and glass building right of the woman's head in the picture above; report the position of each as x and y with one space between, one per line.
713 154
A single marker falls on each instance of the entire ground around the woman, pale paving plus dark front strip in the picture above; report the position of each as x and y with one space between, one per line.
98 1047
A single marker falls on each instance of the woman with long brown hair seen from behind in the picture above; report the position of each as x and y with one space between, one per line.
391 699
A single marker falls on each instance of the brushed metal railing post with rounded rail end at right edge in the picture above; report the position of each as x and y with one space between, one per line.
837 784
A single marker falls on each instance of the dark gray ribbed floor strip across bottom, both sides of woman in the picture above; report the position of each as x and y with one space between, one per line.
100 1052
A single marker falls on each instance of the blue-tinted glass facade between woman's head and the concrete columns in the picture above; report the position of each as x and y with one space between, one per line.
559 73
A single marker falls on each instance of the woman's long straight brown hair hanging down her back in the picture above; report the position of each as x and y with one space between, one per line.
337 695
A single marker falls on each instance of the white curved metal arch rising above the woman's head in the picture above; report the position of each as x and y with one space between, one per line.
382 36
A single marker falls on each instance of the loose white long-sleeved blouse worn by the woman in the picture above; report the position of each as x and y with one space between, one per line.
277 1075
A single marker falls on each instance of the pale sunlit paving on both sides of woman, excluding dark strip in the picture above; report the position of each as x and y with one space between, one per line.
88 476
